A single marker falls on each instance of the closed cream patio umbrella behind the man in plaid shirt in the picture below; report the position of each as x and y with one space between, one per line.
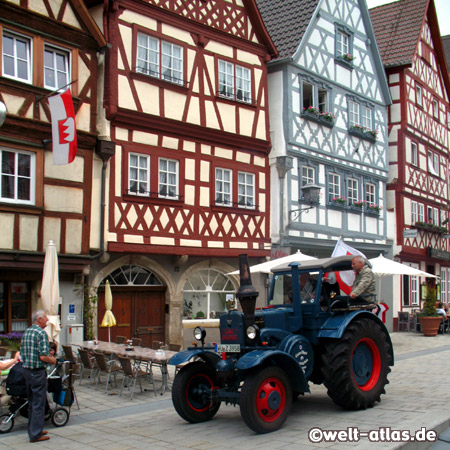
50 291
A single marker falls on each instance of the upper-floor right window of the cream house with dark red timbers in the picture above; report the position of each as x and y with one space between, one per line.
234 82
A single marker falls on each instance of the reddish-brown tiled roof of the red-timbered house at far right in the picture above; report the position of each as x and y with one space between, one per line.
397 28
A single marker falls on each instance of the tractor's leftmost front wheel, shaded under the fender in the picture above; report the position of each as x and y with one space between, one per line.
192 393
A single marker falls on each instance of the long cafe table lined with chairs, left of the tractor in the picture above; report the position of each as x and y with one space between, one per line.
139 354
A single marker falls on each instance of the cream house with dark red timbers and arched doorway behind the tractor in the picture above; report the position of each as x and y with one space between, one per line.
185 98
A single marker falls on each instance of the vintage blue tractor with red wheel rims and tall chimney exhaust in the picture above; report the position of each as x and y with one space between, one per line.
267 357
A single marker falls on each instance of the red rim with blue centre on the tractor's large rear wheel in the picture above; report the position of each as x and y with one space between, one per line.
366 364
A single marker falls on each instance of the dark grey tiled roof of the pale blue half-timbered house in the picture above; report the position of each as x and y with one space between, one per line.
286 22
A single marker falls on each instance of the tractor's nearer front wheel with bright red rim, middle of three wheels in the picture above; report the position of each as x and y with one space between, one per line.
266 399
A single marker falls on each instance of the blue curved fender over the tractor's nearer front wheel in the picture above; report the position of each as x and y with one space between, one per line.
262 358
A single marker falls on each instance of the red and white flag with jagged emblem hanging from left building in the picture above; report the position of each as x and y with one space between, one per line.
64 133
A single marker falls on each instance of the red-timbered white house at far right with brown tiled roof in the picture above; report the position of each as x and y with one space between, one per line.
418 189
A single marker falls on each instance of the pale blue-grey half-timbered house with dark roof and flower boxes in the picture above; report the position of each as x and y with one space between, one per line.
327 96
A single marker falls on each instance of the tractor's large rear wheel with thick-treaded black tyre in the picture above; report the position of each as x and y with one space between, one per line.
355 367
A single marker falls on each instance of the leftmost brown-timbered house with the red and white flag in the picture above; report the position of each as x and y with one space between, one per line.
46 46
